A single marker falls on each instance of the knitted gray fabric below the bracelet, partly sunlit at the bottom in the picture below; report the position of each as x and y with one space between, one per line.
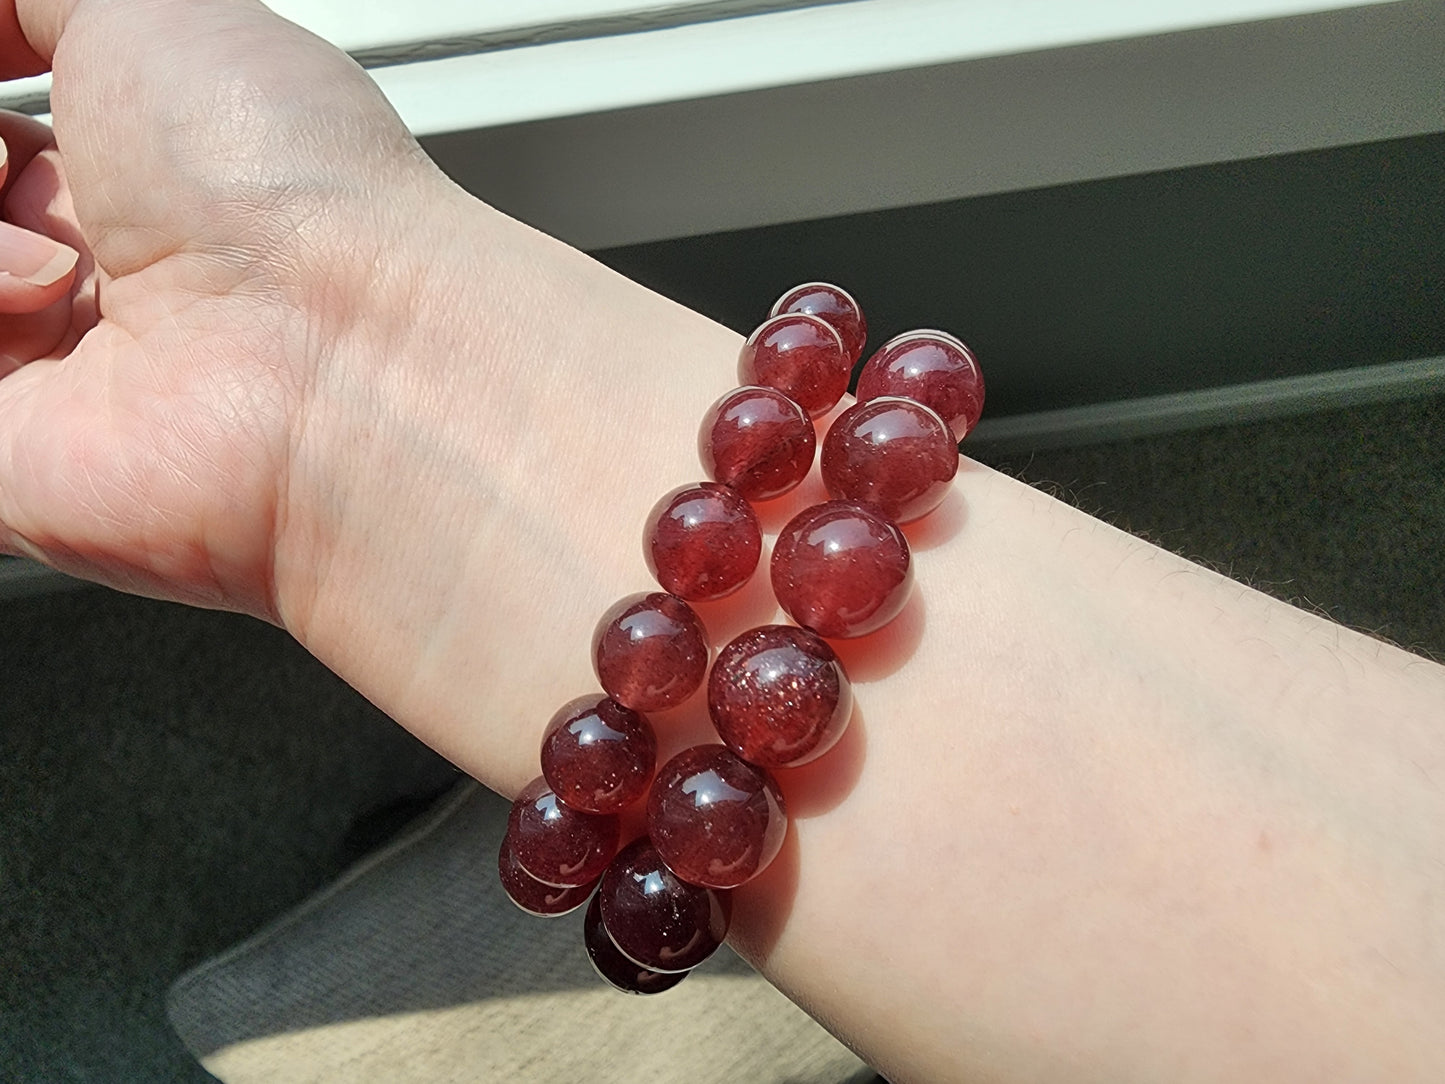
417 968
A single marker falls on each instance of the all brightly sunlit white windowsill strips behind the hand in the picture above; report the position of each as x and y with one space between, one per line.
826 41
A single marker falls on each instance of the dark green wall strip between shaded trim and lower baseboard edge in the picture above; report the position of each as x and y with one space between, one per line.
1131 287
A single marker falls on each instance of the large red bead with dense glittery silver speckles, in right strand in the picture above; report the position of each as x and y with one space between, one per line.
780 696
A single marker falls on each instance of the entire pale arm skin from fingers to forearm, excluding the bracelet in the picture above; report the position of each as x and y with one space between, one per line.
1102 814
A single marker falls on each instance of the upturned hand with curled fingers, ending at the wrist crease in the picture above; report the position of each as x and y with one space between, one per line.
157 385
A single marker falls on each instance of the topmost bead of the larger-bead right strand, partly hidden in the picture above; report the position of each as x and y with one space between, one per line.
934 369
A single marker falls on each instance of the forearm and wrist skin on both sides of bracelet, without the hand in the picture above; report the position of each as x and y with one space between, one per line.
1102 814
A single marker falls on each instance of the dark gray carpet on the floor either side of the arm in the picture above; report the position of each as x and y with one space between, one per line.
171 780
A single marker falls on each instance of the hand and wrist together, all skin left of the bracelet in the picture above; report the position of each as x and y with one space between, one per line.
301 375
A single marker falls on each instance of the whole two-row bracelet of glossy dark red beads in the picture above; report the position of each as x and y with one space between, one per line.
778 696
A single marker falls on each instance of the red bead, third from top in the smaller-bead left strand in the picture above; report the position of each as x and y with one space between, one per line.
758 442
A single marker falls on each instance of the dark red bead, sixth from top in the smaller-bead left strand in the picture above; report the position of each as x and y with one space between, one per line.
598 757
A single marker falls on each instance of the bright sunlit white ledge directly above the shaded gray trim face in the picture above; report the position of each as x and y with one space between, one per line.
784 48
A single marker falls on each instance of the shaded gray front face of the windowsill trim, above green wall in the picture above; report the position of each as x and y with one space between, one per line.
960 131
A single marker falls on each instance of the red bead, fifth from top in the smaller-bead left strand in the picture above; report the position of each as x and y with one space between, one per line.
650 651
